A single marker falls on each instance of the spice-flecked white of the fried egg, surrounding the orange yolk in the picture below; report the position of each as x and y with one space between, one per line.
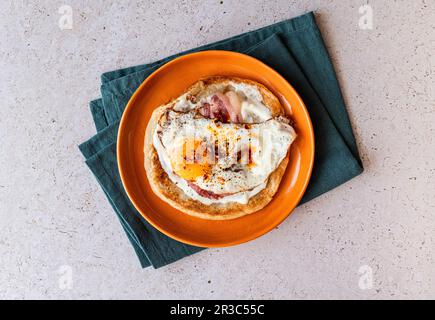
269 141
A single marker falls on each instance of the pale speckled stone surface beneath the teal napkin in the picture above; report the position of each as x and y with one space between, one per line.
371 238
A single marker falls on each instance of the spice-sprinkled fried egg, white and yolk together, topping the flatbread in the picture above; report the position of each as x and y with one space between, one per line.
214 161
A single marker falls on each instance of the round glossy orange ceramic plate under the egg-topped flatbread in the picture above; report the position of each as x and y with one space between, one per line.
170 81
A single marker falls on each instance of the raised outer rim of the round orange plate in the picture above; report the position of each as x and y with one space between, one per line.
123 122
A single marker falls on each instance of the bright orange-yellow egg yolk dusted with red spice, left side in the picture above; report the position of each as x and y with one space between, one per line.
190 160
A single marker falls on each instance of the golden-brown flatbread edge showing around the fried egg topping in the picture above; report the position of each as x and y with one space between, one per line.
165 189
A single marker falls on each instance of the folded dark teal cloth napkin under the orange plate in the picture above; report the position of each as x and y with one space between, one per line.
296 50
